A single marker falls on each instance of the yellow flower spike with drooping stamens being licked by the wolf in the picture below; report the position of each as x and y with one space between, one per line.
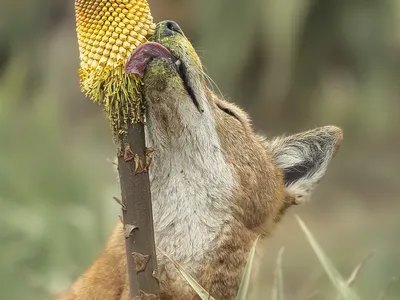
108 32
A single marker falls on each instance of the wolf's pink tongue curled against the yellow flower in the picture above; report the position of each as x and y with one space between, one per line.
137 63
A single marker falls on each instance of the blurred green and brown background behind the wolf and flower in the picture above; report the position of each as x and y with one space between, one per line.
292 64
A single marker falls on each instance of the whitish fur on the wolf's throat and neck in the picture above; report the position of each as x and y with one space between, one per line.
191 187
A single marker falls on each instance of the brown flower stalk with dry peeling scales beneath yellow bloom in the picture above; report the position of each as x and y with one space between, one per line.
137 215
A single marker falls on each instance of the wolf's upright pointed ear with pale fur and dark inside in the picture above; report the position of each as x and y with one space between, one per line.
304 158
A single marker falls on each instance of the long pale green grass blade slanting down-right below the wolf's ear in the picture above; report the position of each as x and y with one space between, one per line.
337 280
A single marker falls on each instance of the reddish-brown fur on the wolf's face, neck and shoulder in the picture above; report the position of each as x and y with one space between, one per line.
260 200
